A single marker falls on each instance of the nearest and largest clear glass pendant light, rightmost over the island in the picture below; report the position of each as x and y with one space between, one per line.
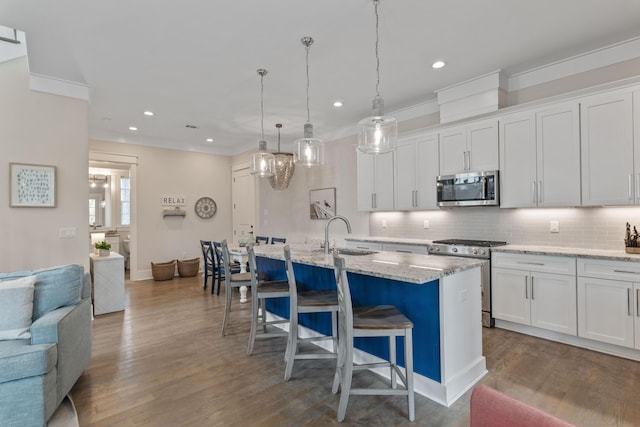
377 134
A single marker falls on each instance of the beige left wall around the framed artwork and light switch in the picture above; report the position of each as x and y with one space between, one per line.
41 128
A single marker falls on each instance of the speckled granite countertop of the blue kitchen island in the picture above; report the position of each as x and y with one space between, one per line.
405 267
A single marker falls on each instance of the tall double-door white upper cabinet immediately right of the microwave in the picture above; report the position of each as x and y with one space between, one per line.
540 157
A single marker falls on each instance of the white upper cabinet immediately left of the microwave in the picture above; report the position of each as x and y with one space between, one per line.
416 172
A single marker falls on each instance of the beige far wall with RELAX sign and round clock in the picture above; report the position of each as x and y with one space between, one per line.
160 172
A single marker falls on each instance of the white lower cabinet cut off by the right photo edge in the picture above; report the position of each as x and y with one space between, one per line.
608 298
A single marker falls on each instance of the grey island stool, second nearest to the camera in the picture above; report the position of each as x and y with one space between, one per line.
317 301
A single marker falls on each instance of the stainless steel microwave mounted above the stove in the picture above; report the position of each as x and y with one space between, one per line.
468 189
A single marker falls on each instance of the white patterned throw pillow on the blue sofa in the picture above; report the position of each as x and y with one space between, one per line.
16 308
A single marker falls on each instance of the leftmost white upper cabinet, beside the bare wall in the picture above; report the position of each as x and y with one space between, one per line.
375 181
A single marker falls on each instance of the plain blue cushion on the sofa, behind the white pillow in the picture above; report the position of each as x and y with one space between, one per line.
56 287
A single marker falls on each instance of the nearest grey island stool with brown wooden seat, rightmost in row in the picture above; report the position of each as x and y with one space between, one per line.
376 321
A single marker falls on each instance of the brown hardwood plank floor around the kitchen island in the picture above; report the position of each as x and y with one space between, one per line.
162 362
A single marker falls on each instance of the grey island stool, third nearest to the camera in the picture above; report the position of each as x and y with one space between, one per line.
260 292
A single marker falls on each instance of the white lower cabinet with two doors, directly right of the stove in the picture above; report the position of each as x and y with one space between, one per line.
535 290
